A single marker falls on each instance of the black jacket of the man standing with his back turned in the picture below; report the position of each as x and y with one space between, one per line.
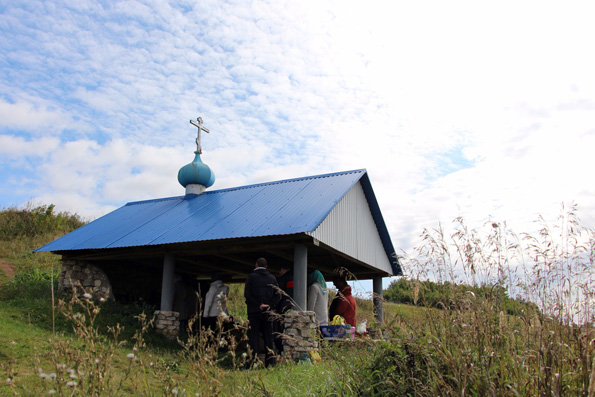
261 287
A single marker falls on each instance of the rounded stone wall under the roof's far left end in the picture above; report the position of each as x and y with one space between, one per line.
82 277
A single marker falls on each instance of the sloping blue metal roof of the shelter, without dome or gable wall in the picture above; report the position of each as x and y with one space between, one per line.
274 208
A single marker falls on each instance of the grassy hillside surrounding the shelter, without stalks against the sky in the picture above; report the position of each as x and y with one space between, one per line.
450 339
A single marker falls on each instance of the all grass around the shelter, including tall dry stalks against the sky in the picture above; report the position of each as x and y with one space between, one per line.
462 338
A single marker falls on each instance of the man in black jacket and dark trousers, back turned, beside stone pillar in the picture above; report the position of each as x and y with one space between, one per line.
262 296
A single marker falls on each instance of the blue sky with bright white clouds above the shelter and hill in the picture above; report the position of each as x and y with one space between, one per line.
476 109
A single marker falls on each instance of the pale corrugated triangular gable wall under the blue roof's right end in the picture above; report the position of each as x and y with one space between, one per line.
350 228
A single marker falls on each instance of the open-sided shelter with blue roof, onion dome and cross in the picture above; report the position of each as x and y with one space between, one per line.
317 222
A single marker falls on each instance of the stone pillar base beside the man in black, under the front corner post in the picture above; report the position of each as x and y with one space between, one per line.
299 337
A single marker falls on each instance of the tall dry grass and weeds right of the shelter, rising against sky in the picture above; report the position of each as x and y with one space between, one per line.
471 345
